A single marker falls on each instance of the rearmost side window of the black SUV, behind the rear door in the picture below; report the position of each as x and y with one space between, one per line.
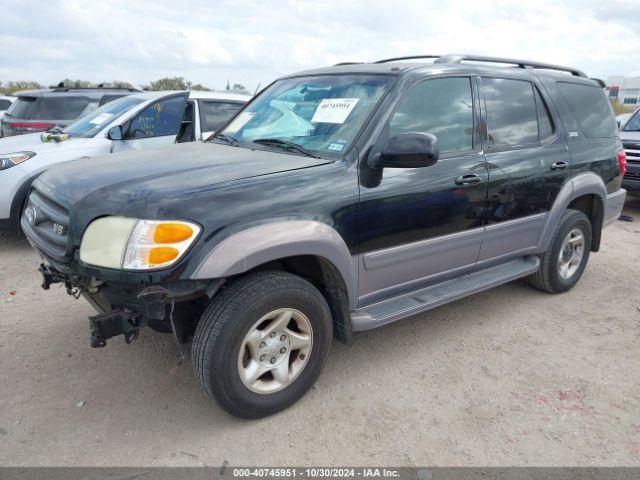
591 109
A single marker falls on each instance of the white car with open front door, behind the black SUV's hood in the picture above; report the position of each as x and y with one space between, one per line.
137 121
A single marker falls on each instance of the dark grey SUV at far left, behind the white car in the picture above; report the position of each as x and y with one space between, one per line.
40 110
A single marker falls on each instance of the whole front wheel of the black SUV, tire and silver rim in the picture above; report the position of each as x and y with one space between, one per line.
224 331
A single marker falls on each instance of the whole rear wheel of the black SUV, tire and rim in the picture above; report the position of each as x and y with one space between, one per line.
551 277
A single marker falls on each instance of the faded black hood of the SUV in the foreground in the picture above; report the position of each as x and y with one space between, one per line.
179 170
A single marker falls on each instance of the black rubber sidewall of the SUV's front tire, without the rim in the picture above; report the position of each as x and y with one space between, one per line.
228 387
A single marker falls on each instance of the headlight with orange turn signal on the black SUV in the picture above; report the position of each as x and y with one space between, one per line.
119 242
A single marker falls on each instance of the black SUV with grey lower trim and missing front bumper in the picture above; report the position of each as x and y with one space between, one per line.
337 200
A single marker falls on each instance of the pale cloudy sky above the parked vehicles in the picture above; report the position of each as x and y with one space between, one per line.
254 42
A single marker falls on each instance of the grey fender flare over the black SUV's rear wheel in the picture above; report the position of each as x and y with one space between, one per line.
586 183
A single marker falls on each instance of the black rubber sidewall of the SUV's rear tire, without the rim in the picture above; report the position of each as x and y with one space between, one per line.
573 220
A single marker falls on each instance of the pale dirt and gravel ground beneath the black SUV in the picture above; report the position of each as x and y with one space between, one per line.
508 377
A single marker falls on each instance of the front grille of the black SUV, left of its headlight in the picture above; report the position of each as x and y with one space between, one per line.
46 223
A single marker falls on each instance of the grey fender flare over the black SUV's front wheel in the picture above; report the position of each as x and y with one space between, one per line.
258 245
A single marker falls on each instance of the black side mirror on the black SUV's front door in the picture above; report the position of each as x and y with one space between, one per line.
407 150
